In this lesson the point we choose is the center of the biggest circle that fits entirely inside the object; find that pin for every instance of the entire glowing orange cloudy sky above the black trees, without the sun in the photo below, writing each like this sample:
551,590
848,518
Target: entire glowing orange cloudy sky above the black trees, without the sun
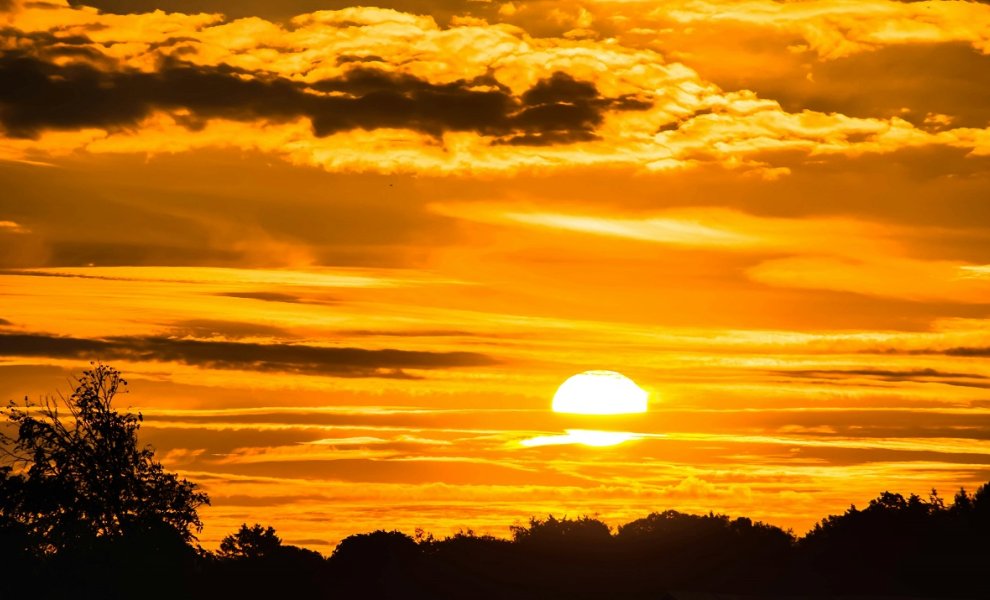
345,255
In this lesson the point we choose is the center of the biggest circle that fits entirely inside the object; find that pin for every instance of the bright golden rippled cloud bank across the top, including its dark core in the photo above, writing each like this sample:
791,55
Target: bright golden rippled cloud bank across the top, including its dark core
372,89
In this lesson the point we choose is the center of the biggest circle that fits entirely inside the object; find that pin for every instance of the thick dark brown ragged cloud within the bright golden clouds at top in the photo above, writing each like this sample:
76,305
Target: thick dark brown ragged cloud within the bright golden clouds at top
36,95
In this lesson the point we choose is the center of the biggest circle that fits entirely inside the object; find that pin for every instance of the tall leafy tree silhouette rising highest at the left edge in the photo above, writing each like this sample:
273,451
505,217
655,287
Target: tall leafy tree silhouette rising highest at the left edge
76,474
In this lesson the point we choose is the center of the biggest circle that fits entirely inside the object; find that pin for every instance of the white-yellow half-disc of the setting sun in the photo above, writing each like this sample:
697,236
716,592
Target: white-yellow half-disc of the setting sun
599,393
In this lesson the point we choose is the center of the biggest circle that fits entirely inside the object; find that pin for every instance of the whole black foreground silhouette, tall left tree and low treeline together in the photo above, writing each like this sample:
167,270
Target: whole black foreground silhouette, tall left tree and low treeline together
87,513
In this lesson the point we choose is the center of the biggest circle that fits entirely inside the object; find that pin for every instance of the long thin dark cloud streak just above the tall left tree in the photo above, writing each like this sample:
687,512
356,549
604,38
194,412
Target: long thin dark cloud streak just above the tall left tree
290,358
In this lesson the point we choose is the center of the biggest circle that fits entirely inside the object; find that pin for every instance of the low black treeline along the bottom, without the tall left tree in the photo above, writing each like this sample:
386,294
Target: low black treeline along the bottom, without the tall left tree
896,546
